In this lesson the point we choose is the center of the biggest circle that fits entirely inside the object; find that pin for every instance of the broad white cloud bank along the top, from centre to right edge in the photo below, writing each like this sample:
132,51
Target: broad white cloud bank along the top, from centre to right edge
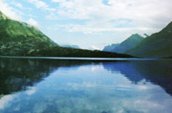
117,8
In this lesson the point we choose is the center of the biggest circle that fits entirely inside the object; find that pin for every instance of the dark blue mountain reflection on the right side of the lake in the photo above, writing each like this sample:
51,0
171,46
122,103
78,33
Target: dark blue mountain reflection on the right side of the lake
157,72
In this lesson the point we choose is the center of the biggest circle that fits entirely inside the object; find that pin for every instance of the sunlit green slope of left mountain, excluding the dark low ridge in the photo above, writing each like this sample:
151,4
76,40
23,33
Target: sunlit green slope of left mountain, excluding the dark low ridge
18,38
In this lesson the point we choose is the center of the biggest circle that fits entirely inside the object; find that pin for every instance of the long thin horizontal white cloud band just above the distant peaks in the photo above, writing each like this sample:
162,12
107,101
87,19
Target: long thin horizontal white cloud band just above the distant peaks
94,29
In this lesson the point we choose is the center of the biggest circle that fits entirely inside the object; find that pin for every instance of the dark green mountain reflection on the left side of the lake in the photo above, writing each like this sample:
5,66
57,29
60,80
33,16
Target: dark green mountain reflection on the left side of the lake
17,74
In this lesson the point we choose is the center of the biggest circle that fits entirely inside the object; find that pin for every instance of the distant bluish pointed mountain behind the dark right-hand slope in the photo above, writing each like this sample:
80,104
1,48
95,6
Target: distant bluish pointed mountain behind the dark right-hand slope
127,44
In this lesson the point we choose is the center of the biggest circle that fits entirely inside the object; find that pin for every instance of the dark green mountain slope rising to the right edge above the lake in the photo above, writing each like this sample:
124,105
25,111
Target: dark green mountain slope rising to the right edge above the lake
157,45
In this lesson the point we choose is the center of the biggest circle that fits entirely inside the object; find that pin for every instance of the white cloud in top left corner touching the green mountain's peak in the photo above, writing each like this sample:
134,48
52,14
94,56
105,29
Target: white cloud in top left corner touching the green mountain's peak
9,11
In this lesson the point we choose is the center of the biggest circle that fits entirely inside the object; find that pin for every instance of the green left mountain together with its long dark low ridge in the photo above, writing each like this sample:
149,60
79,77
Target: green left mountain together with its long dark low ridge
20,39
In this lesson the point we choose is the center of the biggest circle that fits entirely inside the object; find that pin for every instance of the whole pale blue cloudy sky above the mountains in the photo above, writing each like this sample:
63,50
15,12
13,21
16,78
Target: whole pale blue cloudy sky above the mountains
91,24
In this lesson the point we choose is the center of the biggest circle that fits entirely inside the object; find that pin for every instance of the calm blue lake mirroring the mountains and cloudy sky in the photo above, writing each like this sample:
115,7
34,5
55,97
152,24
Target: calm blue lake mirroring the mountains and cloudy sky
85,86
